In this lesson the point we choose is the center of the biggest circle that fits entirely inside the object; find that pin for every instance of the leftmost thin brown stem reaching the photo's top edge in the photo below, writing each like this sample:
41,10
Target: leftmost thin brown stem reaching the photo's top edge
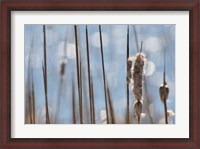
45,77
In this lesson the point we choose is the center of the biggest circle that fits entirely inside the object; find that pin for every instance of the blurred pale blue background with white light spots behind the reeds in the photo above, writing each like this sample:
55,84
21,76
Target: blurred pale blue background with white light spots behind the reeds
155,38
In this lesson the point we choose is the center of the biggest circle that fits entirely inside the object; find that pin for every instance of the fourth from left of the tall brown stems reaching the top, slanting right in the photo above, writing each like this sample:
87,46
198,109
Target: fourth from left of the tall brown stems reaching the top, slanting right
102,59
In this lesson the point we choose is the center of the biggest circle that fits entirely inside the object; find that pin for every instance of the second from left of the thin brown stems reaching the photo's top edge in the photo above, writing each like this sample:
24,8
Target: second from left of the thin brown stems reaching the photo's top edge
78,78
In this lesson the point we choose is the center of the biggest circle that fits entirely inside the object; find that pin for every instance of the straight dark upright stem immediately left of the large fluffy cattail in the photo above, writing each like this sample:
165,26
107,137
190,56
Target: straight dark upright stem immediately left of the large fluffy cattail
127,87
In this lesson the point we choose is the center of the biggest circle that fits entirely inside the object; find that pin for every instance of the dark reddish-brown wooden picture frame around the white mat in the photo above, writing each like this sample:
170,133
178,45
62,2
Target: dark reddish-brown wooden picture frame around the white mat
8,6
